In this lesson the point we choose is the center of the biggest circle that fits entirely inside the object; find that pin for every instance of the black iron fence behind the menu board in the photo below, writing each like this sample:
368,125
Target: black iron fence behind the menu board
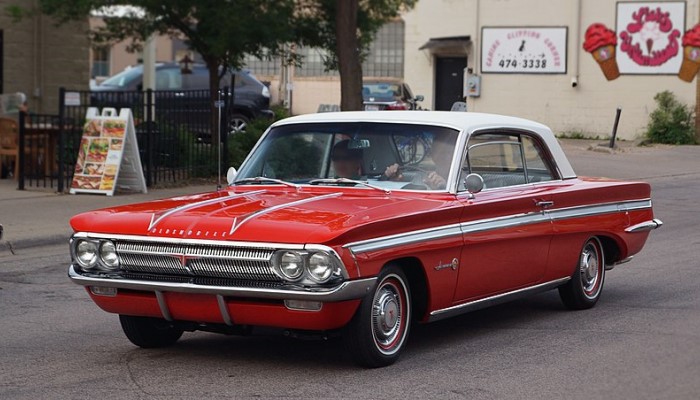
173,131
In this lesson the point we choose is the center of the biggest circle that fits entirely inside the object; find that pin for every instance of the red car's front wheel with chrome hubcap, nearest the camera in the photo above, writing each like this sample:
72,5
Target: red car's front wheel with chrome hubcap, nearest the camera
379,330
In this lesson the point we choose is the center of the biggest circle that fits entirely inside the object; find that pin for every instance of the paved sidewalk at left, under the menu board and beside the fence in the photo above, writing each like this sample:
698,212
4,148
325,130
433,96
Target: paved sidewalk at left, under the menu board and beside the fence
39,217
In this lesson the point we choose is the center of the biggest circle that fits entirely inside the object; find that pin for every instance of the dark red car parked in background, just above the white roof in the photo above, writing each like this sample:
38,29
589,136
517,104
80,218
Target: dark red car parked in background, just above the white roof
388,95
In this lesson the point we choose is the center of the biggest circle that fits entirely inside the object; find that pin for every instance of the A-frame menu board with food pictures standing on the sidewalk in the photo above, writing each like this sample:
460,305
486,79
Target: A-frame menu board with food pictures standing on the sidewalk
107,150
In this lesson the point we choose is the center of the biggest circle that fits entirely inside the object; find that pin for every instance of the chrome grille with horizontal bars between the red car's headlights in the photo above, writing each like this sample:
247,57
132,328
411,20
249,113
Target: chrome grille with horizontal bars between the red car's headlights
212,261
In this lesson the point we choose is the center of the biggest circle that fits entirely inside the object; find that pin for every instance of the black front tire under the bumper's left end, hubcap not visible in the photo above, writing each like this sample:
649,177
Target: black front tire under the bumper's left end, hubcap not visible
149,332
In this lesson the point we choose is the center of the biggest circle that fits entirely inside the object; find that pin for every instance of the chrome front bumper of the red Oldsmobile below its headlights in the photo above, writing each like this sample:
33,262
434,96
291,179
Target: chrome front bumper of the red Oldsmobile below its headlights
347,290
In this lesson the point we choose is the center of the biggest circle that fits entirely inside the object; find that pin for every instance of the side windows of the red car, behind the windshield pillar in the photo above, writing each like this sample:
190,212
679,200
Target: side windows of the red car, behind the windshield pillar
506,159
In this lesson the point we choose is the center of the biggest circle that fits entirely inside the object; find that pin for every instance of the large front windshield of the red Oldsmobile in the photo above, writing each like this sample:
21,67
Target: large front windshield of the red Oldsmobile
387,155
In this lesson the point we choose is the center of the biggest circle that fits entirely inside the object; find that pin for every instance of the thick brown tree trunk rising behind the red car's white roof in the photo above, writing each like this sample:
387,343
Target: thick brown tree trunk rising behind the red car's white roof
348,51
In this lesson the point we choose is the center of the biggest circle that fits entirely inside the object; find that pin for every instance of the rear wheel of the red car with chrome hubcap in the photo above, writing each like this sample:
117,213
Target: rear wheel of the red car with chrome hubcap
586,284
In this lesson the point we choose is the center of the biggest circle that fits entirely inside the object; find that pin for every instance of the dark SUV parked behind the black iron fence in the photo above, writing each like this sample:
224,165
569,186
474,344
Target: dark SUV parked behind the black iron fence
251,97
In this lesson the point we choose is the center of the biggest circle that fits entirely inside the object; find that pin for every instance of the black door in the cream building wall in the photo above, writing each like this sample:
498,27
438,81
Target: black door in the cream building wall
449,72
